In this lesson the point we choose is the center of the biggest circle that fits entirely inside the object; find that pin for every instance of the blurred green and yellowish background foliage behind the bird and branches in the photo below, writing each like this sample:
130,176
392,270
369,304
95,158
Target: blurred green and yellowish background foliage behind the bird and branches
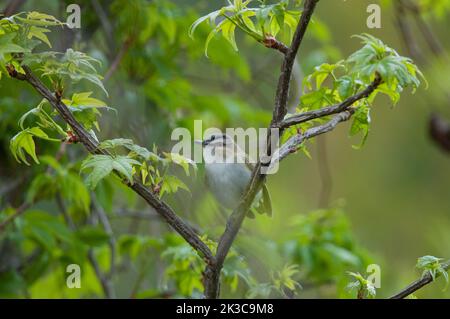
387,203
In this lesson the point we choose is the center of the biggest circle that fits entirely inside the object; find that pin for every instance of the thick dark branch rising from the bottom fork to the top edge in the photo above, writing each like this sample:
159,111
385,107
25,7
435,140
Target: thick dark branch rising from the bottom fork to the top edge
234,223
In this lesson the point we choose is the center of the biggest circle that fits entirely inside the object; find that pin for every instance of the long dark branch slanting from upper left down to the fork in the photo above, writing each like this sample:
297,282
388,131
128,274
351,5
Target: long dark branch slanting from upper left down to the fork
91,145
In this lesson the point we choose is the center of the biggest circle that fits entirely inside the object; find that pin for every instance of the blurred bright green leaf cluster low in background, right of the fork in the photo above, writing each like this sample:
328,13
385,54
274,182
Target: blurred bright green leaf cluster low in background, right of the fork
322,243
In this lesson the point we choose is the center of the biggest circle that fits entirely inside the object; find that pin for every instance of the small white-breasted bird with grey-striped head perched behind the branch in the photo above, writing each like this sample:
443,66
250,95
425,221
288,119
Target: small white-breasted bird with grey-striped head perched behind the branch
228,172
